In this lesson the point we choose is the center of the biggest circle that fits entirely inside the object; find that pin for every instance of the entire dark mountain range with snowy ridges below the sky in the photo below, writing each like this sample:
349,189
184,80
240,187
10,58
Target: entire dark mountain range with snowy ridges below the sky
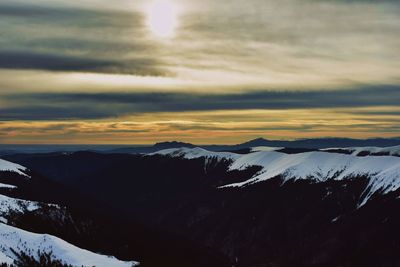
183,205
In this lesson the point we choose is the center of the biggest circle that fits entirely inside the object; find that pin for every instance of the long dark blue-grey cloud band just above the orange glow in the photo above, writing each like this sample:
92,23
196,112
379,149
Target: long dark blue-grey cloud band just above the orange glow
46,106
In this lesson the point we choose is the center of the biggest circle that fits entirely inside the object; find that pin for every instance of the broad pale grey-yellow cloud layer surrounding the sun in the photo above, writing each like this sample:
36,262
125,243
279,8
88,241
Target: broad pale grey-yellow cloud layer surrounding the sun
255,42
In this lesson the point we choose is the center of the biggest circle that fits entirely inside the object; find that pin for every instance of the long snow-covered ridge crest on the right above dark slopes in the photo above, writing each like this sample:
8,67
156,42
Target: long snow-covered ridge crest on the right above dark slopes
383,171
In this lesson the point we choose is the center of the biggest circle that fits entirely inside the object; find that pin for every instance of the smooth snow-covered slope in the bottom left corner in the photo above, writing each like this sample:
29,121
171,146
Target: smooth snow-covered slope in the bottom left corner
30,243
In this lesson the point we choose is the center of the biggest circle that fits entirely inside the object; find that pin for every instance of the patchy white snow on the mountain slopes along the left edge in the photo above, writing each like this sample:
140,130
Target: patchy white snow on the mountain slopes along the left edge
15,242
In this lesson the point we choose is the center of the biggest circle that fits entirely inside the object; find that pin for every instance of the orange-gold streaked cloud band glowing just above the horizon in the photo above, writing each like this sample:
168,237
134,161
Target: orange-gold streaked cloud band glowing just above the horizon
204,127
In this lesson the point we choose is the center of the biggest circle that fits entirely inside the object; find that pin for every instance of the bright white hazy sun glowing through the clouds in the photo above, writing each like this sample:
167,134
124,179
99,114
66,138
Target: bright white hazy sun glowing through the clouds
162,18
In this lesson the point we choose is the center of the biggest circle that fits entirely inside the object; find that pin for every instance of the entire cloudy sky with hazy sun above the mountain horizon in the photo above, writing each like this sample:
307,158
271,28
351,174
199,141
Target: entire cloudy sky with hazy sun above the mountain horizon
139,72
